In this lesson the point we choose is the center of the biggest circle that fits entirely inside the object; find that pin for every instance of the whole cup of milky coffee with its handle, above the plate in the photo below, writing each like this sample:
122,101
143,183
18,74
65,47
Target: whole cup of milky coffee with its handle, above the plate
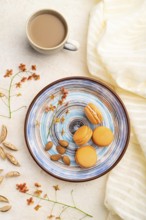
47,32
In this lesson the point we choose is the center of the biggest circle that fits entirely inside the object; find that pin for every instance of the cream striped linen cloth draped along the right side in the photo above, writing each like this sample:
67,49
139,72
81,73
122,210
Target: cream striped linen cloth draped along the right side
116,54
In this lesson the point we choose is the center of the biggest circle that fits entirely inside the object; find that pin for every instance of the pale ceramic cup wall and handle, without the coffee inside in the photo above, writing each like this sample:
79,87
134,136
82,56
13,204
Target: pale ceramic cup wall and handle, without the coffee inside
65,44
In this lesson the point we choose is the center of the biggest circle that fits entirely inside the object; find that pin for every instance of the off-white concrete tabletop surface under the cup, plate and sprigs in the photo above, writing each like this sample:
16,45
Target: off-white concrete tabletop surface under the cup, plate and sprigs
15,49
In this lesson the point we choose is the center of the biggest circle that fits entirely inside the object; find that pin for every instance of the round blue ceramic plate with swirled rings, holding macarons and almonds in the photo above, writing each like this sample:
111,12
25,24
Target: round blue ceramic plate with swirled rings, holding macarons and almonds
47,120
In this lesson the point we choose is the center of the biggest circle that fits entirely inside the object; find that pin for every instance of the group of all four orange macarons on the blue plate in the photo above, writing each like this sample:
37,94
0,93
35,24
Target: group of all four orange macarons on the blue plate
86,156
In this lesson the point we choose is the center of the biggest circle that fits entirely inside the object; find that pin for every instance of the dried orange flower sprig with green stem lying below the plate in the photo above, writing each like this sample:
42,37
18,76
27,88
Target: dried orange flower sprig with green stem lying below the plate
23,188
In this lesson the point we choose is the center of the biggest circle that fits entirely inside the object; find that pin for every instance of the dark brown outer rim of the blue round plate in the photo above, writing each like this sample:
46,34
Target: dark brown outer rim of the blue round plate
104,84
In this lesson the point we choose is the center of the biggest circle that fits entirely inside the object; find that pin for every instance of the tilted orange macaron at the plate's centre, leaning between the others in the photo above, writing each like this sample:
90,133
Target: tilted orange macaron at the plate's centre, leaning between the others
82,135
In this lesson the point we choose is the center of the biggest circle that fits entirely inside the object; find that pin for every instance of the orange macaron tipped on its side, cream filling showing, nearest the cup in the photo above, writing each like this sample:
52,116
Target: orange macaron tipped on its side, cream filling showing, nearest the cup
93,114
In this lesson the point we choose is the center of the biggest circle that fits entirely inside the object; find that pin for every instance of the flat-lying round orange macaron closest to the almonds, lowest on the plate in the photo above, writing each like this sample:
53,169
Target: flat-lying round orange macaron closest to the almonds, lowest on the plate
86,156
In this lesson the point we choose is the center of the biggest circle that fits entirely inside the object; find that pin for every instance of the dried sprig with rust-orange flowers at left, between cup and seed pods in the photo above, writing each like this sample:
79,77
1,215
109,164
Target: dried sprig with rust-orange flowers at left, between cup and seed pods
25,75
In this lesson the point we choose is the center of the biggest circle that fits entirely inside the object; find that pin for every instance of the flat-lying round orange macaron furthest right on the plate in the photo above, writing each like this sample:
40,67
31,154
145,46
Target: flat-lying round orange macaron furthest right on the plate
102,136
